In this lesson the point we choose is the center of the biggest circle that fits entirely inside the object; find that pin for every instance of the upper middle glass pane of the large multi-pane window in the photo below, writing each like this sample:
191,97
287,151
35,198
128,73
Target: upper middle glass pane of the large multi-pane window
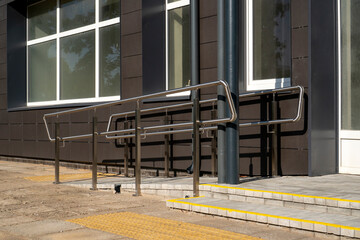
76,13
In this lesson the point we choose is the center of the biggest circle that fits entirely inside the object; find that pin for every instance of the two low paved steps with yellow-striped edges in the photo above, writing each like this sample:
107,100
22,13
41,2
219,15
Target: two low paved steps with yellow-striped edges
329,215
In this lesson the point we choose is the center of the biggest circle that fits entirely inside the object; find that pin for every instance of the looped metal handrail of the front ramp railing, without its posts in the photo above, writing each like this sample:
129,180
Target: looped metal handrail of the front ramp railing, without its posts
137,99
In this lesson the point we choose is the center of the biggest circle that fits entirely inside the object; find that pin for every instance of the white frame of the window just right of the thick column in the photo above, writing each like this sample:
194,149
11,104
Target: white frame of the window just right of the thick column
251,84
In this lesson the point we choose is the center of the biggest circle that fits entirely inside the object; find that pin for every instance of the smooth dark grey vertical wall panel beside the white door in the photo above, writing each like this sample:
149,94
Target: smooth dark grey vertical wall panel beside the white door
323,88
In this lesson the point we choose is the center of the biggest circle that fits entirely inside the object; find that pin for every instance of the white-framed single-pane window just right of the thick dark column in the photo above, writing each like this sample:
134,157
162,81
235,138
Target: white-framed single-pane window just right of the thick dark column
268,48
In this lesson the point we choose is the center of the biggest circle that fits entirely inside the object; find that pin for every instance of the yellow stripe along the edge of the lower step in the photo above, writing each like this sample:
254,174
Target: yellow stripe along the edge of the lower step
265,215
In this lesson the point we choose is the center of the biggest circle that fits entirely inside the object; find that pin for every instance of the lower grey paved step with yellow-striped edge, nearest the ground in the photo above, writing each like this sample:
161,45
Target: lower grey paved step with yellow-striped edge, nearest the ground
327,223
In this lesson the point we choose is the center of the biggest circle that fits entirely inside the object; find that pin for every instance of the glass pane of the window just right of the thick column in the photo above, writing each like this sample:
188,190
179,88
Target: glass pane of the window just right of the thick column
271,33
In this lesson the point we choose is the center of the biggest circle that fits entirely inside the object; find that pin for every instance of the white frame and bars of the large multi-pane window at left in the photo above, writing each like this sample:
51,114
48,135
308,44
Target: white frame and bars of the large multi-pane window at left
57,36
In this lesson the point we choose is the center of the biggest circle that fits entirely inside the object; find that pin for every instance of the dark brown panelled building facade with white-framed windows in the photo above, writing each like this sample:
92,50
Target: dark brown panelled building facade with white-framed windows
62,54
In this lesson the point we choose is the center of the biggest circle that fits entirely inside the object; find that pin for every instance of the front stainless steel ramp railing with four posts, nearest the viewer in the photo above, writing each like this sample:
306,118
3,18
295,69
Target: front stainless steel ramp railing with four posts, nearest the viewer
196,125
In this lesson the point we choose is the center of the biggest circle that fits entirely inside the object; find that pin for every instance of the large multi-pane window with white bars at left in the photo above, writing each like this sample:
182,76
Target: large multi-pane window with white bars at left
73,51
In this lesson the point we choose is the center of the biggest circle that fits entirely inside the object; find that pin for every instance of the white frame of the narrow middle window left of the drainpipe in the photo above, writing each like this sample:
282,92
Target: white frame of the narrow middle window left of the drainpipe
171,6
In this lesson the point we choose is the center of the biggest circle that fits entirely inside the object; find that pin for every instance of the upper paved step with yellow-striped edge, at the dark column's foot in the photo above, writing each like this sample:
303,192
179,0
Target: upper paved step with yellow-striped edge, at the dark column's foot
332,203
